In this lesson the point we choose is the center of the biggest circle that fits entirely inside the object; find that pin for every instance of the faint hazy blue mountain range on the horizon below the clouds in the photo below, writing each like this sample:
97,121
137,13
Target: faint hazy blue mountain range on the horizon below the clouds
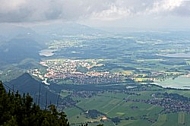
45,31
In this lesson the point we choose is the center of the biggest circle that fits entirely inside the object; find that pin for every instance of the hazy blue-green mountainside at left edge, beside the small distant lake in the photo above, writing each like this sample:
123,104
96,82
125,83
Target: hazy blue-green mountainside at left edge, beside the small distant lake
16,50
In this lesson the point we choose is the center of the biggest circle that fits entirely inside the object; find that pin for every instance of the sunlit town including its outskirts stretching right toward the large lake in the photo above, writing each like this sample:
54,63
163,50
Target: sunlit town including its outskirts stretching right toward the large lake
93,71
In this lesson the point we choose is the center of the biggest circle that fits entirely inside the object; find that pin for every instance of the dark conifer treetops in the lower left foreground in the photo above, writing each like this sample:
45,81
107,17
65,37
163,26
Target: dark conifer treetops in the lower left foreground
19,110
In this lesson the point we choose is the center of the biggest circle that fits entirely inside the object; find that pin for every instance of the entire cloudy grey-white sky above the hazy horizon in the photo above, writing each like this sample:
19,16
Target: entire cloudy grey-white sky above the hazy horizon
143,14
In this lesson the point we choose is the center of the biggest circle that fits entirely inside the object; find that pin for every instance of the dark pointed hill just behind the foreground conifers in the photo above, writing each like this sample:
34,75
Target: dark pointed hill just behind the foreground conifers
26,84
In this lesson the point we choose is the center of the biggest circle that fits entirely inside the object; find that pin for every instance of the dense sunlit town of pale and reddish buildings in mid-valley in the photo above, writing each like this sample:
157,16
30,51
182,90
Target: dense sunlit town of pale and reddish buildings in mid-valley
76,72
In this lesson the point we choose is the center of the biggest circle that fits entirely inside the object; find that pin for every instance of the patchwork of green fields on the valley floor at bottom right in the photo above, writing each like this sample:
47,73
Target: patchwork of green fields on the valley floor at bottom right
130,113
